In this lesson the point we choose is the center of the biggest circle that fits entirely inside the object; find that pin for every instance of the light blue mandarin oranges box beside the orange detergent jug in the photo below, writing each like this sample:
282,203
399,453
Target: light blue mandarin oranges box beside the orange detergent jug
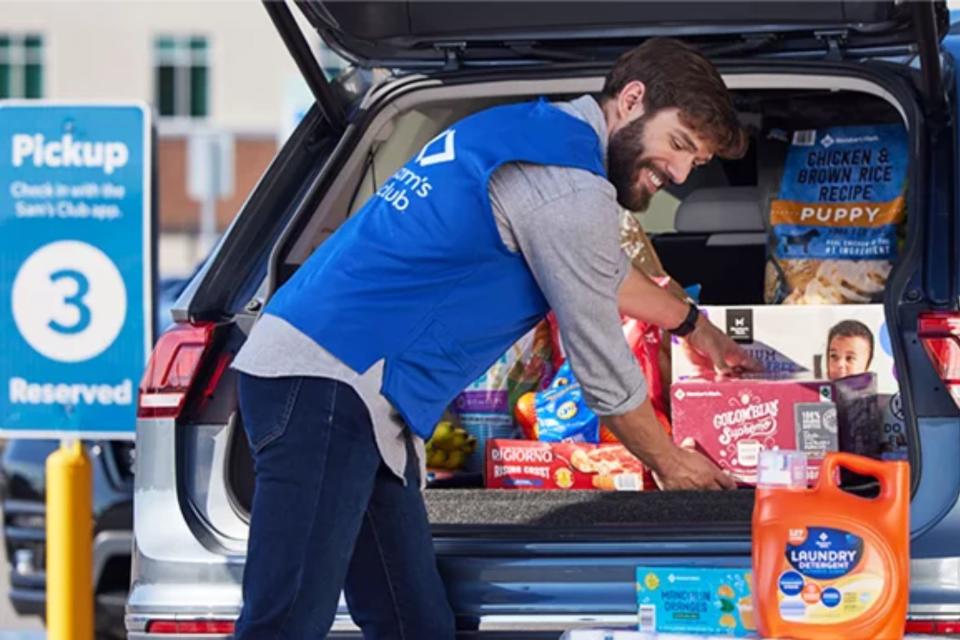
695,600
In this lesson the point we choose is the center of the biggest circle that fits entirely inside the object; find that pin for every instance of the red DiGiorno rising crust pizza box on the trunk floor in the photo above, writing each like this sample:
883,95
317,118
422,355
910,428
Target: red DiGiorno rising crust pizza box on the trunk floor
530,464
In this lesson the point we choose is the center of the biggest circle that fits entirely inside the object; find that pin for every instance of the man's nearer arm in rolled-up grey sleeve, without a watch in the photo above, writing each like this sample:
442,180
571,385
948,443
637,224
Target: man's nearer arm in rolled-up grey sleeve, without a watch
572,246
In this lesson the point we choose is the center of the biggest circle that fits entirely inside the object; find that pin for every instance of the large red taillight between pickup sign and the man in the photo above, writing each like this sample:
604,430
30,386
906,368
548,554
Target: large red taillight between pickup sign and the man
172,368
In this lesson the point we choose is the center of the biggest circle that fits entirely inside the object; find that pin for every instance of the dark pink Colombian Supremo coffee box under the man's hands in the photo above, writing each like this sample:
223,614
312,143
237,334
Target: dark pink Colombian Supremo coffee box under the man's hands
732,420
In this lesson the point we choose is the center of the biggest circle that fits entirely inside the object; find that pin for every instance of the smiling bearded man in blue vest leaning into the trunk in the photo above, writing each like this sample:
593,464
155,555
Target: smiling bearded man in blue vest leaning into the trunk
507,214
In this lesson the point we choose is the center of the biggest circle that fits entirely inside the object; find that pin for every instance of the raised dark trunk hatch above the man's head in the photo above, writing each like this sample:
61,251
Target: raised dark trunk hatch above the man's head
435,34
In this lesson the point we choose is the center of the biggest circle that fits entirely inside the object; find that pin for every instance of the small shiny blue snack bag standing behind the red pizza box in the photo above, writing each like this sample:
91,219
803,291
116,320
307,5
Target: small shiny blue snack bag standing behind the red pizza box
562,414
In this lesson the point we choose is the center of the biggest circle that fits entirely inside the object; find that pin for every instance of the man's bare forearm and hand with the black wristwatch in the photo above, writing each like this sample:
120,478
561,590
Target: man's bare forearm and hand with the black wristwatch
642,299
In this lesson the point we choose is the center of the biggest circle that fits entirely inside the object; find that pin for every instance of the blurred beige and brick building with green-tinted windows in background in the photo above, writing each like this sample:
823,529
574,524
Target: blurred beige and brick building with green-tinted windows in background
223,88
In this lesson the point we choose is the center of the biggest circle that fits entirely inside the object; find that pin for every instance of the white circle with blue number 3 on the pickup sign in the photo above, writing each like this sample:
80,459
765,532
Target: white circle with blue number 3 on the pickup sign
69,301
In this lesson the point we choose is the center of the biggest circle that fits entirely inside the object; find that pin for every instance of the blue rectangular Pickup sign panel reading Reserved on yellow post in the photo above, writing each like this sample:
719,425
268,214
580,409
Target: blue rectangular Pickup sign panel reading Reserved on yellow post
76,282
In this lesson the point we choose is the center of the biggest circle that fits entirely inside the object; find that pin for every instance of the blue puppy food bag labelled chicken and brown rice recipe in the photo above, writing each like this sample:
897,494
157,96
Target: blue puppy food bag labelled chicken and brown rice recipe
834,223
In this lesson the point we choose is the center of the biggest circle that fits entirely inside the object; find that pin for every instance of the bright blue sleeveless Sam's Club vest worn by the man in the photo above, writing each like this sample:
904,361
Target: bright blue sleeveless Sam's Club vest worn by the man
419,276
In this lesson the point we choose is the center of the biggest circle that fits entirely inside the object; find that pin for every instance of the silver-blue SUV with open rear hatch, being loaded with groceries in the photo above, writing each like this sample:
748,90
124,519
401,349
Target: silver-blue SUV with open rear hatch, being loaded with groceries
529,564
